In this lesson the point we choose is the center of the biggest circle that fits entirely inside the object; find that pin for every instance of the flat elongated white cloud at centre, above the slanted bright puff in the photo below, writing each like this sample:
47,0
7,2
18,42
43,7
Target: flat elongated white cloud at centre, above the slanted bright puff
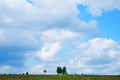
58,35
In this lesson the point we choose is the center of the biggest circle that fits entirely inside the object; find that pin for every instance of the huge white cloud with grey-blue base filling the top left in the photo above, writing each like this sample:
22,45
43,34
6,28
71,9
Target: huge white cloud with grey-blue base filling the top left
44,15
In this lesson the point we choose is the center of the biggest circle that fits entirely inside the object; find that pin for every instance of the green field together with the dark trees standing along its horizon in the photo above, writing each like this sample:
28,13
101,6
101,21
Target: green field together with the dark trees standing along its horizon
61,75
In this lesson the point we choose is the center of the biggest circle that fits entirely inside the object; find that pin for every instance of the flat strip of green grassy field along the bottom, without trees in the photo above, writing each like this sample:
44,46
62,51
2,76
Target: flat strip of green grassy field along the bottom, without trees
57,77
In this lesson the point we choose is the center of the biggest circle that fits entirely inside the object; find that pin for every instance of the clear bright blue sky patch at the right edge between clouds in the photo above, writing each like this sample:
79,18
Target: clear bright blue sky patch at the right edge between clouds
109,24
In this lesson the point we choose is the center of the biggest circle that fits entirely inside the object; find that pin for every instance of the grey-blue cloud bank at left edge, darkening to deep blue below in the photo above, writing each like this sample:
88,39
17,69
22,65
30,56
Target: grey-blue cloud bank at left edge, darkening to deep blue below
15,43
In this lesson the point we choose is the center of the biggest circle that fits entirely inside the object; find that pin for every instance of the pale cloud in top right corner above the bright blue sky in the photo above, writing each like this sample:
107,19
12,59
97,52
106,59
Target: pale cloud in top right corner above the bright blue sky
97,7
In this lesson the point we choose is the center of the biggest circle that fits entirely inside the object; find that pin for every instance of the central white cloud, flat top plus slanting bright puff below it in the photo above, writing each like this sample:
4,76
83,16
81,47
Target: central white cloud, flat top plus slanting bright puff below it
52,43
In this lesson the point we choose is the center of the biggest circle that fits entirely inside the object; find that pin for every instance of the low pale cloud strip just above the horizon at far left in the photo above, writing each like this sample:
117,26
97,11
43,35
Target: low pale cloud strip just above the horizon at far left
36,69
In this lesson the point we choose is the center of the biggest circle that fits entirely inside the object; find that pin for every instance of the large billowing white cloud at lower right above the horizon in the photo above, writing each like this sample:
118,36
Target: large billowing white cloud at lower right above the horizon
99,55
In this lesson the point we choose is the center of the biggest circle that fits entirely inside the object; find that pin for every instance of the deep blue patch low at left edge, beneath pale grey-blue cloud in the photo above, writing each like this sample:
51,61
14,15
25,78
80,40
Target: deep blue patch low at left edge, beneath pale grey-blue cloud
12,58
